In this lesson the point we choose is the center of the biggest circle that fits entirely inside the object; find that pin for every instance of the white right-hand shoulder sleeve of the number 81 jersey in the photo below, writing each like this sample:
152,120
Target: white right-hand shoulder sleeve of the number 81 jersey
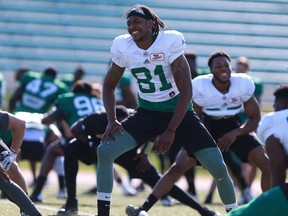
178,45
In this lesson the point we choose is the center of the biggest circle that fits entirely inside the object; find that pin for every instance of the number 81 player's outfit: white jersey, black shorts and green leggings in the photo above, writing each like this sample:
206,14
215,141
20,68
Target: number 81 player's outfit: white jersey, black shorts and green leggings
158,97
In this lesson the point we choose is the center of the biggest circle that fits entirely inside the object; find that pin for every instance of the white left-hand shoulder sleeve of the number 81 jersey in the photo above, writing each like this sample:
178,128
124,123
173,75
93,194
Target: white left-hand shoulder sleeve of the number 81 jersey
117,50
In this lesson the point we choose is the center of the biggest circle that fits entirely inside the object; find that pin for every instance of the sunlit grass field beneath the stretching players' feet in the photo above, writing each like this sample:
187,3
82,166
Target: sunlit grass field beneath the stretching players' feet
87,203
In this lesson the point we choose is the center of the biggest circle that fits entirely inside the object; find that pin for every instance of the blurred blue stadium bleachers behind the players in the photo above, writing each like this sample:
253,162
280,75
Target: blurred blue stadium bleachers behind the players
66,33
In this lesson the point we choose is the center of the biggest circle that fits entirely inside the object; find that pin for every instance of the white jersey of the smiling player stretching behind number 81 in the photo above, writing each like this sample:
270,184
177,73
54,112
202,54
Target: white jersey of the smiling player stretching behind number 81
215,103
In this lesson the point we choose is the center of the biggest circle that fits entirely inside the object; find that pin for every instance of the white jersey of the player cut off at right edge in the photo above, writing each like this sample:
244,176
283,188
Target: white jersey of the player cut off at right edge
274,123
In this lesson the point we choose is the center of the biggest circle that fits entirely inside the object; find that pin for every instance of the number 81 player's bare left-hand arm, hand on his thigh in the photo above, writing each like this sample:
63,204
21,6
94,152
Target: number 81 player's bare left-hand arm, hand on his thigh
111,80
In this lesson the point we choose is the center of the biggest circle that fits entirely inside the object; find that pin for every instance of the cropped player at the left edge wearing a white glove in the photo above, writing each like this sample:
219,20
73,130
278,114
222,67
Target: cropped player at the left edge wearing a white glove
8,165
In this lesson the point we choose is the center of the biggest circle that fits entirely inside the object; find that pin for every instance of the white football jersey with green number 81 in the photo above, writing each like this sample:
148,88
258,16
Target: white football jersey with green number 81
151,67
